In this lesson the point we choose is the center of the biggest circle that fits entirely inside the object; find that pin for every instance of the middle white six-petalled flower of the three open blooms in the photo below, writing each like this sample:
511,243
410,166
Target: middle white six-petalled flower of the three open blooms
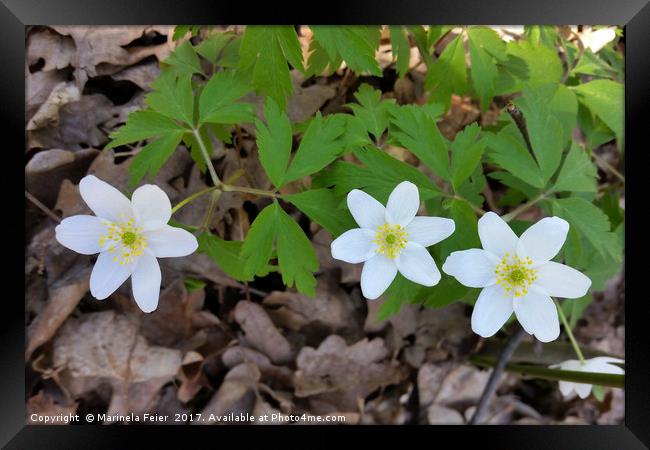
391,239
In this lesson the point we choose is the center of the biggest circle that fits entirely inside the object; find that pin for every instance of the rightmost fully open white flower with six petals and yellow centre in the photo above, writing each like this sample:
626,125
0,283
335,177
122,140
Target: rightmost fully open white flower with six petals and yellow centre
517,275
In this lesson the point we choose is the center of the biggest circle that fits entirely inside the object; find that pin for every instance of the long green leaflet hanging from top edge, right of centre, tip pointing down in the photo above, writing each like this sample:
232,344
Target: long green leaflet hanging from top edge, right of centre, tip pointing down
484,46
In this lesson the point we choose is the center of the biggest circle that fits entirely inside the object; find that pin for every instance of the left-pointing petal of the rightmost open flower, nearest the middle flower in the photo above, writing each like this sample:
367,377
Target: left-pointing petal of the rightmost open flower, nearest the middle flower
473,267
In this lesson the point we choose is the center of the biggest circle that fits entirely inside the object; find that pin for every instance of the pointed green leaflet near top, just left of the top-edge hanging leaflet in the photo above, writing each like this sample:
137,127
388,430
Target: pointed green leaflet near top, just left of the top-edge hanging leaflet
448,74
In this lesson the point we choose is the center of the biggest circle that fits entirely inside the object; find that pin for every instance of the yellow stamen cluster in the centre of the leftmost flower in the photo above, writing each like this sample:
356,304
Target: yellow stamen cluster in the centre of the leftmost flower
124,239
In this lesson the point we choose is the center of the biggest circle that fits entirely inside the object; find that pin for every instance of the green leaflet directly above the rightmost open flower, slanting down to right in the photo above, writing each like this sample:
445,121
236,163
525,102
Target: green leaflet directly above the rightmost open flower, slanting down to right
508,150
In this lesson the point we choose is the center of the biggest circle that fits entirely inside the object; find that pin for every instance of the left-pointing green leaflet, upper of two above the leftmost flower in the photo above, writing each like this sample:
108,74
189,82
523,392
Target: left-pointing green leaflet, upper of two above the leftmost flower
143,125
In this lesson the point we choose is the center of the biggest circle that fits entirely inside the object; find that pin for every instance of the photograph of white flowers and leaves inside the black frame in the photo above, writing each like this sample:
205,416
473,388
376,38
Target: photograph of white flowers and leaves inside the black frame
332,224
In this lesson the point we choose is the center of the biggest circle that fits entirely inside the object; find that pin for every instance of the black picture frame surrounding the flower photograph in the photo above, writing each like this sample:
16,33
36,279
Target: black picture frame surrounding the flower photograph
634,15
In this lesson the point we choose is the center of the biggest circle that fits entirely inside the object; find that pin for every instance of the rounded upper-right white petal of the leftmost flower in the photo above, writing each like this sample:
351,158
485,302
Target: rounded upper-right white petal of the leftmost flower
151,207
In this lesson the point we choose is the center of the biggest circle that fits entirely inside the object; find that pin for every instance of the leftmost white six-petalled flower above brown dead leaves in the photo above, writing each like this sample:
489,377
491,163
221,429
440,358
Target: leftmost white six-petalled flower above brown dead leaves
128,235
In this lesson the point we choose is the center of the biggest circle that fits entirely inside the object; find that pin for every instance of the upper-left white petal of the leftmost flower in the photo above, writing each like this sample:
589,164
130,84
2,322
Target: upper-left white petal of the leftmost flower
104,200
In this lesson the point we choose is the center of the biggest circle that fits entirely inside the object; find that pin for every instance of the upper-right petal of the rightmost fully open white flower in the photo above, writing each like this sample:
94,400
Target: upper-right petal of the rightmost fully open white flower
543,240
